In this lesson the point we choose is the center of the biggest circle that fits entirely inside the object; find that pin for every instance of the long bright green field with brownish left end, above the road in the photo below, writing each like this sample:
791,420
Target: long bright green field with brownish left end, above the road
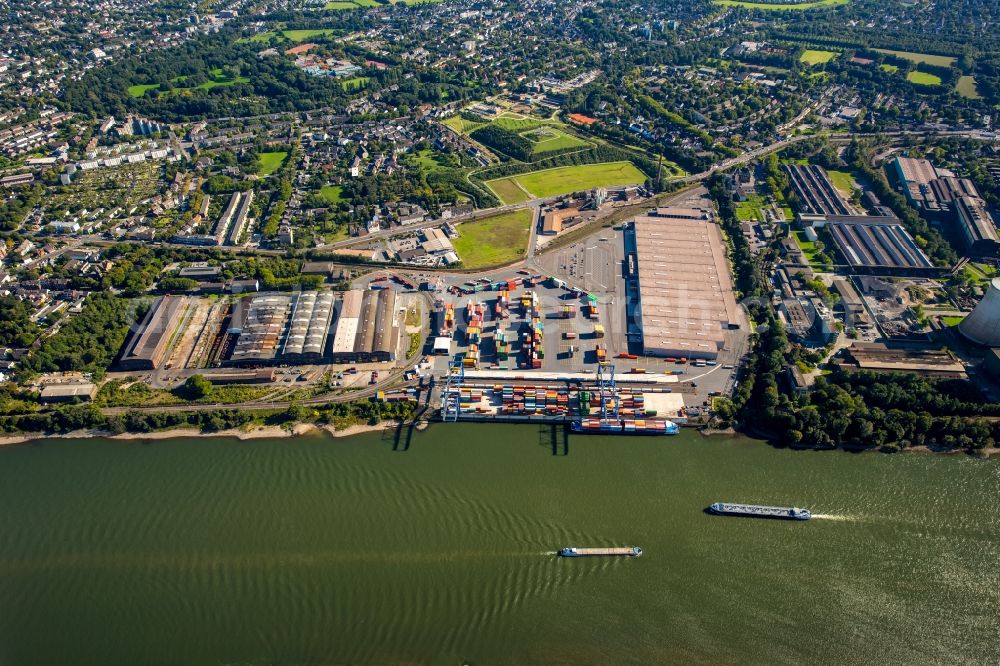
564,180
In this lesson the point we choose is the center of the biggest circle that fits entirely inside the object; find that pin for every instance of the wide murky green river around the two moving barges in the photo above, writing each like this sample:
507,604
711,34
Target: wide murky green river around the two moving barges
438,549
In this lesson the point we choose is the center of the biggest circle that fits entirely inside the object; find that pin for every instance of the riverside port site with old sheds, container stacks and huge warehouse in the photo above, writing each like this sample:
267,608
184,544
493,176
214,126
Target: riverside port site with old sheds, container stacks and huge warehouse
632,330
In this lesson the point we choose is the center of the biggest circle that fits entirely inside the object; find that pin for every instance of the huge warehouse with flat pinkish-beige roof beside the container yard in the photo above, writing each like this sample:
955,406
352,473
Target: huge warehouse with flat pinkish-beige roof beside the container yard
686,299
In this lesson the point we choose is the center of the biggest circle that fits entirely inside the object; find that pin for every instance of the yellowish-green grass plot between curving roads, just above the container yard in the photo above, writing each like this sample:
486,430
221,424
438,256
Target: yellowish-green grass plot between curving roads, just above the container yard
495,240
